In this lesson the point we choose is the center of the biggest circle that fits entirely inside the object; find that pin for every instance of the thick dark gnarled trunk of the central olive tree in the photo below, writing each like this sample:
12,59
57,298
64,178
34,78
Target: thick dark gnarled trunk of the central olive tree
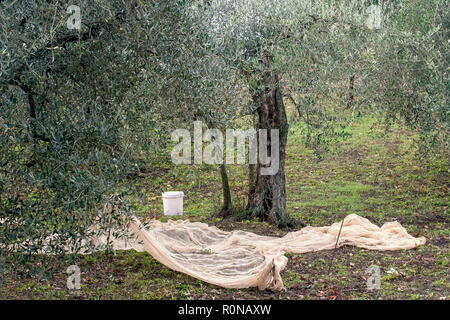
267,197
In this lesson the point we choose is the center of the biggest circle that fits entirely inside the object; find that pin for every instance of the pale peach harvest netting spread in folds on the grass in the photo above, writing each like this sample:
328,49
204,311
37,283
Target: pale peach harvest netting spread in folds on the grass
240,259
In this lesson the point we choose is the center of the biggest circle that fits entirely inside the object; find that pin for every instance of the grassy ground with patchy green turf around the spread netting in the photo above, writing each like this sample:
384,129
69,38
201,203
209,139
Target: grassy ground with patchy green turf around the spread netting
373,174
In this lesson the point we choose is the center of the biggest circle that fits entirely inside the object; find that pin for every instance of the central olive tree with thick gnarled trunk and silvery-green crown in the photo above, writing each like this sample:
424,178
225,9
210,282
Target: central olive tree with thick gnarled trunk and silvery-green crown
265,41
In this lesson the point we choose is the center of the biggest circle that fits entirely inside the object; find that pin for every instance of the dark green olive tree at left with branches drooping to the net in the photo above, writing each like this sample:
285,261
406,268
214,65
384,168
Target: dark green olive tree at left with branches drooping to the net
74,116
